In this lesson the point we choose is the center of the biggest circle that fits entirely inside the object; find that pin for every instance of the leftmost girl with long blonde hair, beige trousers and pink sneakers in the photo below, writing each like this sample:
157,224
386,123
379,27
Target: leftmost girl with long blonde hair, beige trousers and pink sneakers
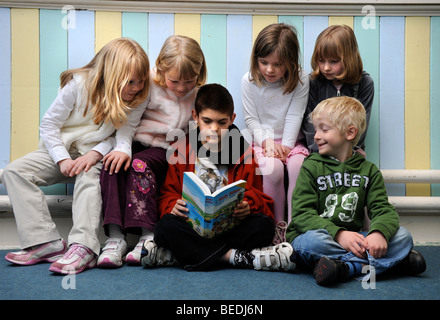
96,110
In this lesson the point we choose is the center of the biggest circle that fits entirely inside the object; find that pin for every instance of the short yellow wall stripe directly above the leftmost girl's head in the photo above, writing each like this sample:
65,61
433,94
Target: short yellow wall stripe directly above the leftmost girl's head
107,27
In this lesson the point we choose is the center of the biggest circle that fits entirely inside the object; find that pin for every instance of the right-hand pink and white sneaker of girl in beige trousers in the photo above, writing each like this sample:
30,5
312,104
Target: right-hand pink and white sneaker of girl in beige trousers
75,260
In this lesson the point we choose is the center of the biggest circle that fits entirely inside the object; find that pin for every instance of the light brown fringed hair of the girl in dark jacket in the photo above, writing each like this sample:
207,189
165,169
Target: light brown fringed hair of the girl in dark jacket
338,42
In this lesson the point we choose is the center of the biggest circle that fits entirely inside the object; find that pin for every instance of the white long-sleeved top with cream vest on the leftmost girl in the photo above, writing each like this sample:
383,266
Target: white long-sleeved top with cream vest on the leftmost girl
64,126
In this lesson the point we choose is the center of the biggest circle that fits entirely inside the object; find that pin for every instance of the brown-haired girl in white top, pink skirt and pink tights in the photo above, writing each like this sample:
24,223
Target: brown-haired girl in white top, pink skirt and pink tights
274,94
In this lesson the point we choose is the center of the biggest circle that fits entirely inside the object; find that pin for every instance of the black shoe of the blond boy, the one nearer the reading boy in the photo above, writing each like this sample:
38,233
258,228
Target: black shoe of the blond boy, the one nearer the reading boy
329,271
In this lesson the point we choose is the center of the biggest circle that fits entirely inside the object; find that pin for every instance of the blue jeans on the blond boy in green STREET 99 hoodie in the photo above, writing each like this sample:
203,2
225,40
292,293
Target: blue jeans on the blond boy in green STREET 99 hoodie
311,246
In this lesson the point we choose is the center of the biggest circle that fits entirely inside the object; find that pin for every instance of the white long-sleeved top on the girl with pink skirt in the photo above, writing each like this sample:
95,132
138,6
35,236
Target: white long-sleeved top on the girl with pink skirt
268,113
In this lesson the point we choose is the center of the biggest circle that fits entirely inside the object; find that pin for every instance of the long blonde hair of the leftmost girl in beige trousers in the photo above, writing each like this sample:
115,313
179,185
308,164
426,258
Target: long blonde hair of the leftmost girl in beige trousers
106,76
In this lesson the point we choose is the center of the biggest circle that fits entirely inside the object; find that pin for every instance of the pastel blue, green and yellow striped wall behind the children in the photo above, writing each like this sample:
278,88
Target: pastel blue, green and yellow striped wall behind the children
400,53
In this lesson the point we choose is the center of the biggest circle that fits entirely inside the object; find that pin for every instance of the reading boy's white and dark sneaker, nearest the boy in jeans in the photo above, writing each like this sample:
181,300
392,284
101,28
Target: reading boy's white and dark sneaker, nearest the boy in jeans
274,257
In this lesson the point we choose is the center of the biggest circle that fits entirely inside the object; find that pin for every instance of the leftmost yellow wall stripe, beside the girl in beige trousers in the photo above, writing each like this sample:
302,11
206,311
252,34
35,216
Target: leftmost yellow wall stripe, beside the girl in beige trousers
25,70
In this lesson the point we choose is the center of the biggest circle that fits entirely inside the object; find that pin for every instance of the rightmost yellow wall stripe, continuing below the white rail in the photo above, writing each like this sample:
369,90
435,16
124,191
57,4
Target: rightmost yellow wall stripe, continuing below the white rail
417,127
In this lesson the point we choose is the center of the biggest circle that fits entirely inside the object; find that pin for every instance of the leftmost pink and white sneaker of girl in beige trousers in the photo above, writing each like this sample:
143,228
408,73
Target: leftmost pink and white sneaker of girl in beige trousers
47,252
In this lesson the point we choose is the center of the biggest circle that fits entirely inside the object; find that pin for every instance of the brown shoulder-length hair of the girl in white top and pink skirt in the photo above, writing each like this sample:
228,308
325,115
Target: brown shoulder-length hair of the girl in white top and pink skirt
281,39
